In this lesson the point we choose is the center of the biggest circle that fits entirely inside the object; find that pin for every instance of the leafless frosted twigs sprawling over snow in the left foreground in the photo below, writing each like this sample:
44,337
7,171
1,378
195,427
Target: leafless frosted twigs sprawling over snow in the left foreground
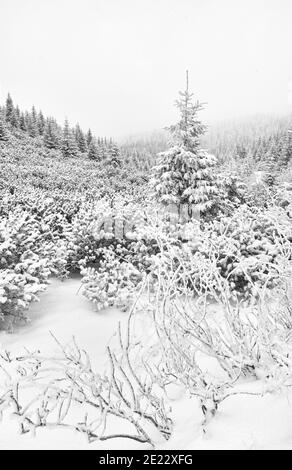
64,387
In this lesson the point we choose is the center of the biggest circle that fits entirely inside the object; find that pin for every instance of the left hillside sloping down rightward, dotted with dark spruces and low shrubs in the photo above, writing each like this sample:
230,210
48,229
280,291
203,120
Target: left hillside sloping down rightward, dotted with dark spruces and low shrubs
38,154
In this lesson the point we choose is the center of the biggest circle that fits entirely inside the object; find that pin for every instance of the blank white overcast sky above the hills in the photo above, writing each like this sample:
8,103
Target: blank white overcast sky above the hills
116,65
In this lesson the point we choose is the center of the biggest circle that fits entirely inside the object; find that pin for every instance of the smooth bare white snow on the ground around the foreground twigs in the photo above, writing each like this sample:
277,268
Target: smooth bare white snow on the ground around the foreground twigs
242,422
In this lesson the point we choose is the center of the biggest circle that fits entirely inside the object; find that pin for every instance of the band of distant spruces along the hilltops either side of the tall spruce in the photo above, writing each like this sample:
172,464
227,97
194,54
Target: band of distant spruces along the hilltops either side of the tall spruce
250,144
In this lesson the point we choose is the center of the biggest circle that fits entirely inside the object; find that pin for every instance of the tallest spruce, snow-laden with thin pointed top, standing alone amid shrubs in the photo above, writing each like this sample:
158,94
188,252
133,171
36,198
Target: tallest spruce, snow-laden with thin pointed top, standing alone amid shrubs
184,173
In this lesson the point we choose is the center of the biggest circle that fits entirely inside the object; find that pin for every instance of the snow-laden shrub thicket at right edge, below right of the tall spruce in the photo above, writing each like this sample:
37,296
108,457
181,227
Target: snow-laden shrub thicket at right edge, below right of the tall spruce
243,247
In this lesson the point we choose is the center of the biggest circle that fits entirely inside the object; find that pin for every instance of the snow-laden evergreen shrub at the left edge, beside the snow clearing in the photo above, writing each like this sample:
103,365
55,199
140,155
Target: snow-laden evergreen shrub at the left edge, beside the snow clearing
30,252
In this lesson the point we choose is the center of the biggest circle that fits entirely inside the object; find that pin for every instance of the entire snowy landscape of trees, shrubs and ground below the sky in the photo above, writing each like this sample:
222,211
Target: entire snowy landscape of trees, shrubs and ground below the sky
146,283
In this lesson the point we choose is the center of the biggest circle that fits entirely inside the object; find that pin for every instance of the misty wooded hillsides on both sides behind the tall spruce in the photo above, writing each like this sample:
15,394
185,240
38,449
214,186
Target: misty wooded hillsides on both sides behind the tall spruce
50,157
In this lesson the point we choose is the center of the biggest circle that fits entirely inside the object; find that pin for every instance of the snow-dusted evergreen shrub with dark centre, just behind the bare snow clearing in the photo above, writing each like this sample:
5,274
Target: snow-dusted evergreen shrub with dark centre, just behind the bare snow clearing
112,268
